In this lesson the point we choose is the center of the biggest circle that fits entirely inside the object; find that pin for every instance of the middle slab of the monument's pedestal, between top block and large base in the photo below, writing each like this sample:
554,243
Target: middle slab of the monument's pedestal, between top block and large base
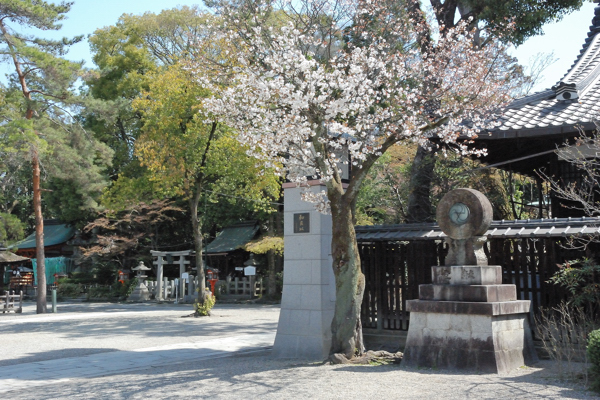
477,293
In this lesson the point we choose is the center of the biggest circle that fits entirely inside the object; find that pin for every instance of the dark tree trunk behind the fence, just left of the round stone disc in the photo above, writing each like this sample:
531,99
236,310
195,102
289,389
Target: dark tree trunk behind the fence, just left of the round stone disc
419,203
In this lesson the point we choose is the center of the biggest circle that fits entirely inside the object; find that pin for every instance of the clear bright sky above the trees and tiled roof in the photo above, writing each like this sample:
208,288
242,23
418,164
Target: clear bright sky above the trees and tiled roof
564,38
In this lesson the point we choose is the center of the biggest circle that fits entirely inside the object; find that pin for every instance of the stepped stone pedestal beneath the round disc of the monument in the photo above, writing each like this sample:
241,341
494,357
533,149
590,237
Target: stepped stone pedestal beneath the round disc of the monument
467,319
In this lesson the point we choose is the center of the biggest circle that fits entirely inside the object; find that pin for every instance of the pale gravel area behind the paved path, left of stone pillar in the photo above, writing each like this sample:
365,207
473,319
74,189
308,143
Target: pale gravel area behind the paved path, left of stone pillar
87,328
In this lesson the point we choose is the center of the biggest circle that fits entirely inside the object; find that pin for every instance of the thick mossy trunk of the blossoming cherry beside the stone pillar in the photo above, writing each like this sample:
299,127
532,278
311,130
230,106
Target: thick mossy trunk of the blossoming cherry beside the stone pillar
346,328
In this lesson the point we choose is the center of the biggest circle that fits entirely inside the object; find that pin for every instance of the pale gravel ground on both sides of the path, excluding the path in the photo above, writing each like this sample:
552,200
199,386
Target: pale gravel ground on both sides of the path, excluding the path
85,328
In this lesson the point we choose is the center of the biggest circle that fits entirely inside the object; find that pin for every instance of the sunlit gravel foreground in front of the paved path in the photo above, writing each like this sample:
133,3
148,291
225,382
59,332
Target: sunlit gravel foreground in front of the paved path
262,377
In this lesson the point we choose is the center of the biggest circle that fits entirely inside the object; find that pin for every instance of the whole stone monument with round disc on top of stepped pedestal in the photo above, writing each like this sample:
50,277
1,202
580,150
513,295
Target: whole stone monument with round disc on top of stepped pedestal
467,319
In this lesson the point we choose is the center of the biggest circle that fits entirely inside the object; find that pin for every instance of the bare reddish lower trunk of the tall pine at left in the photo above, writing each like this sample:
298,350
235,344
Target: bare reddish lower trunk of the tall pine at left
39,236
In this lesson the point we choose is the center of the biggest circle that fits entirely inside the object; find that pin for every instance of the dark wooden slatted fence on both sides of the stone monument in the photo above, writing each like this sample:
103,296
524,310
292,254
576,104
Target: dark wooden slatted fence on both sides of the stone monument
395,269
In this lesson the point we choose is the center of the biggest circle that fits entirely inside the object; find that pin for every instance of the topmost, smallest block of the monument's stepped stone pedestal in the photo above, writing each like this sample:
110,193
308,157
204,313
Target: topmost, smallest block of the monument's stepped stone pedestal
467,275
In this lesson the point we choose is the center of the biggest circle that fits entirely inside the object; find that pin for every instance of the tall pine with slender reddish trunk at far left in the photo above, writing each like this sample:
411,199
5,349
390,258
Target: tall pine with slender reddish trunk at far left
45,79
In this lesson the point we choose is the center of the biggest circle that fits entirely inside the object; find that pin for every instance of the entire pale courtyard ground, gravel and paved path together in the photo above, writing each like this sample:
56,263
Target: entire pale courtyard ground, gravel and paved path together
138,351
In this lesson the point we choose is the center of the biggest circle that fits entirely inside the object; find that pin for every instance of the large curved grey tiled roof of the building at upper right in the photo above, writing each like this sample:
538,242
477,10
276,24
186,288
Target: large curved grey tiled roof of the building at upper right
544,113
